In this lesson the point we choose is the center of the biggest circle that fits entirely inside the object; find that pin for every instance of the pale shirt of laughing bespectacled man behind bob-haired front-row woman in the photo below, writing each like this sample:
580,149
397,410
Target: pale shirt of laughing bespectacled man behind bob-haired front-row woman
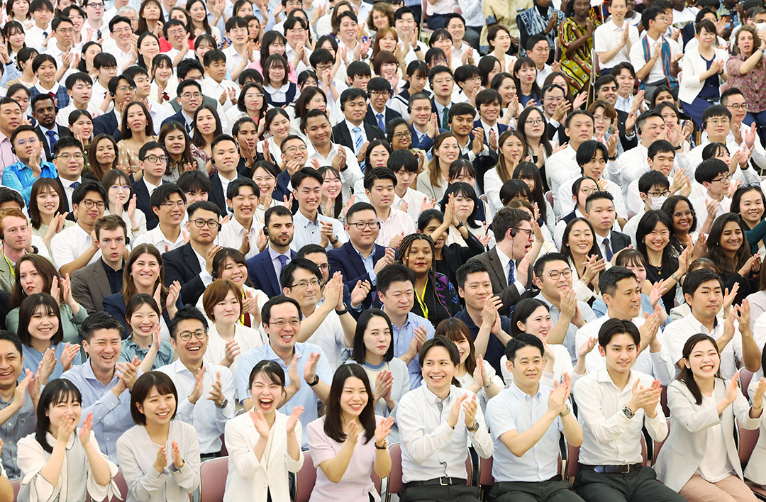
205,416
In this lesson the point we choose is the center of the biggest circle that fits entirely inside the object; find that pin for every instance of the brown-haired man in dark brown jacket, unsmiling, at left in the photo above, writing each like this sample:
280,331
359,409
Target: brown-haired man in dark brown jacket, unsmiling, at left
94,282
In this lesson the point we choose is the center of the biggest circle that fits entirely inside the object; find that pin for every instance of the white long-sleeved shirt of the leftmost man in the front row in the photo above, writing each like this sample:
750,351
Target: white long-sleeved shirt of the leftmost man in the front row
430,447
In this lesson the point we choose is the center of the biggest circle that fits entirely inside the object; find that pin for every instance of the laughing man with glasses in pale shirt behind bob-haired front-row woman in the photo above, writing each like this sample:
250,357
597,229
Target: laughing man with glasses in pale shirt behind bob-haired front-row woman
205,390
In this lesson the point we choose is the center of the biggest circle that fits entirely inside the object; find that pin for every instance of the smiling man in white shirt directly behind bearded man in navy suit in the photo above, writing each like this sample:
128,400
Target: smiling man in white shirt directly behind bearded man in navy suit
310,226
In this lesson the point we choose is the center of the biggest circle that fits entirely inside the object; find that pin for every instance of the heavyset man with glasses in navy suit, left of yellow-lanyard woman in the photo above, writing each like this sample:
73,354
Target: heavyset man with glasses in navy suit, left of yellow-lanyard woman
360,259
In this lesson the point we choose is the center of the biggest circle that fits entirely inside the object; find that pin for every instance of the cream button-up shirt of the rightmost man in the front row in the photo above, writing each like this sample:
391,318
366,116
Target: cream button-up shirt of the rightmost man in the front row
609,436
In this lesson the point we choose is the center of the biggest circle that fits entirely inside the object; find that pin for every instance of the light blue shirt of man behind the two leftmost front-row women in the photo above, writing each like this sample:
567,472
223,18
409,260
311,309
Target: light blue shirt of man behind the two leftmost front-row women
111,414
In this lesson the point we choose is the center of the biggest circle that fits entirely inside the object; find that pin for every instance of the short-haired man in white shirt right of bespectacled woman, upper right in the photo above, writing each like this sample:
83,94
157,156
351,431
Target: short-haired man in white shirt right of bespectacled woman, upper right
562,166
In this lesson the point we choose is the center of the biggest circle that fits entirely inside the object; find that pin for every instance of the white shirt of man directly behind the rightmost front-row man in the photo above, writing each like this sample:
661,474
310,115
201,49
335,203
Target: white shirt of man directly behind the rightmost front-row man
658,364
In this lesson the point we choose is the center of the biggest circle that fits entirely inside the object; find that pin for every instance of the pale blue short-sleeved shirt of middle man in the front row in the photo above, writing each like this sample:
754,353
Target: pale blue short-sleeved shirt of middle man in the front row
513,409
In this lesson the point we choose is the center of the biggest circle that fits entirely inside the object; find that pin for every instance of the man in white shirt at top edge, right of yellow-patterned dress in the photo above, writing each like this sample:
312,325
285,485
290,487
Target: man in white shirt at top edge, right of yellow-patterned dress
614,39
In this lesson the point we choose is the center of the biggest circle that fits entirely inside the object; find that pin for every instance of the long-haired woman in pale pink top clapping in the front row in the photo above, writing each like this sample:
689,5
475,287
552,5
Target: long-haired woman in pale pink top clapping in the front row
350,441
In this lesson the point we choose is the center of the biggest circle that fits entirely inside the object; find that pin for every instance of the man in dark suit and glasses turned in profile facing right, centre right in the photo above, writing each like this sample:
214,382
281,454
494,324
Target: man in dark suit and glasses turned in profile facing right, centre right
507,263
